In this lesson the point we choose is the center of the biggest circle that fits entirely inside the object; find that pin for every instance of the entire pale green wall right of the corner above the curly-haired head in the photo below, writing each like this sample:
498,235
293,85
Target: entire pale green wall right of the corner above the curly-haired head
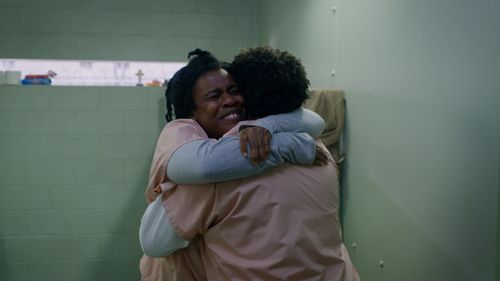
422,173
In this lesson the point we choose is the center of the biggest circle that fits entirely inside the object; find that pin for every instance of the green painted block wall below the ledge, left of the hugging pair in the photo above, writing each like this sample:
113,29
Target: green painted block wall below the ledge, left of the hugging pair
74,164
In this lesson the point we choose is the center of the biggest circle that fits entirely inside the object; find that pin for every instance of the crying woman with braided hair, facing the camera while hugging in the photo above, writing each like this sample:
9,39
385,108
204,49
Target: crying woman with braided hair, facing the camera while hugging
207,104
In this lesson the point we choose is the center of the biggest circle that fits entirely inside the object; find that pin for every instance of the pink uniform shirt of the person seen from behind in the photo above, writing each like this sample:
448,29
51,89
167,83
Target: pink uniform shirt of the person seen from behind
281,225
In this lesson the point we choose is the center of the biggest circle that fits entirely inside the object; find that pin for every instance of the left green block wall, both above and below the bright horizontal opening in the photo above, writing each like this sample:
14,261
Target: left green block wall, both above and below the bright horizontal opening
74,160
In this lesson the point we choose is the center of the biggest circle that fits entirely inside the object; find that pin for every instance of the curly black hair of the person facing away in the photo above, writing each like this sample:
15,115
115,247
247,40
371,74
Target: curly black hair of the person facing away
271,81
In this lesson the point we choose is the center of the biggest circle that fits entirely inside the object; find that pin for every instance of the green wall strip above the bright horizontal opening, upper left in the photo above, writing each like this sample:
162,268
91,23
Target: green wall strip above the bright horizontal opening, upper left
158,30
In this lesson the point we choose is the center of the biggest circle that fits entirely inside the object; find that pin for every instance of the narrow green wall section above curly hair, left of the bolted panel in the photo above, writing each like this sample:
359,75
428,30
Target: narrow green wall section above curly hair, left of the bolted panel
305,28
